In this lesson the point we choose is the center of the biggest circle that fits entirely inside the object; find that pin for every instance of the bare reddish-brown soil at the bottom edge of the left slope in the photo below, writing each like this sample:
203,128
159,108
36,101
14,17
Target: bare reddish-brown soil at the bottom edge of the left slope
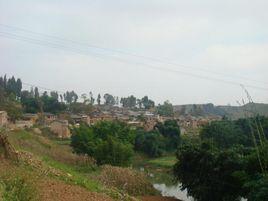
51,190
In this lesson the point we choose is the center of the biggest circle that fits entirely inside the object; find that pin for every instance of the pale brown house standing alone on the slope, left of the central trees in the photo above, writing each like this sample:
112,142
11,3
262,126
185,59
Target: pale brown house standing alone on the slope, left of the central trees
60,128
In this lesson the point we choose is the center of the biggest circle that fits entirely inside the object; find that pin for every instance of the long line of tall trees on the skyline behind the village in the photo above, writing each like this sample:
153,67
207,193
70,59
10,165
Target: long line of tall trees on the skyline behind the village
33,101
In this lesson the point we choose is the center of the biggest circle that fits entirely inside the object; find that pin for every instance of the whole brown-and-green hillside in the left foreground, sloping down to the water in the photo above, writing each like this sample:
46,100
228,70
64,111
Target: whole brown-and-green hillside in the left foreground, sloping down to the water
36,166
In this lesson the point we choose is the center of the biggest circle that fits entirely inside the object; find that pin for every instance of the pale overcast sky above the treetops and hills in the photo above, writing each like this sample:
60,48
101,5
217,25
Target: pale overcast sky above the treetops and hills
184,51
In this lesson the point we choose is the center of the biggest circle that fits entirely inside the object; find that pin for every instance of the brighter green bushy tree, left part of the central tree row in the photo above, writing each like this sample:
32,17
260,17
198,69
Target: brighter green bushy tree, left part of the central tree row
107,142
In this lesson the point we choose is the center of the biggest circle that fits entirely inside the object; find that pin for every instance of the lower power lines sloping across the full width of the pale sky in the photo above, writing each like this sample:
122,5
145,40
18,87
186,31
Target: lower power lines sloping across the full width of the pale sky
100,56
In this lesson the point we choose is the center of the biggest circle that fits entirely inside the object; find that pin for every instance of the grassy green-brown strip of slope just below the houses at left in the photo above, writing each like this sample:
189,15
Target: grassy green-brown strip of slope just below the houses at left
56,154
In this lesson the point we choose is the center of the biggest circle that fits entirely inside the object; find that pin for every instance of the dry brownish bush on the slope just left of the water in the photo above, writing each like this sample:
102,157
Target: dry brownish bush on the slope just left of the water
127,180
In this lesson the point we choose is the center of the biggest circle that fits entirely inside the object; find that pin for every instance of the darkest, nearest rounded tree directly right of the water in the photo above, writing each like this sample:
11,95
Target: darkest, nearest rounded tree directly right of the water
208,174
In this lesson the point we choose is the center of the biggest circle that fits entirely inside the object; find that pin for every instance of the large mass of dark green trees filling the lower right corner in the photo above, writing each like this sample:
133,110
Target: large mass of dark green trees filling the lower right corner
230,161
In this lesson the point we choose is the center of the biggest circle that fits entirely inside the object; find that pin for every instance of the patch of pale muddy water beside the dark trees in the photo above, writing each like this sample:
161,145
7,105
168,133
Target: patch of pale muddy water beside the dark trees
173,191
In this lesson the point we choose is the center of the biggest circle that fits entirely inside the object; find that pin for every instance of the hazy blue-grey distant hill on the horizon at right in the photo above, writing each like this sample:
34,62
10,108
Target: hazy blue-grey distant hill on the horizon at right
233,112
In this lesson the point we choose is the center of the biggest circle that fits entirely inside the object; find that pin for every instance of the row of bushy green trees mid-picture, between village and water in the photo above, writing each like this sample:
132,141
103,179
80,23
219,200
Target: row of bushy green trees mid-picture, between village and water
114,142
